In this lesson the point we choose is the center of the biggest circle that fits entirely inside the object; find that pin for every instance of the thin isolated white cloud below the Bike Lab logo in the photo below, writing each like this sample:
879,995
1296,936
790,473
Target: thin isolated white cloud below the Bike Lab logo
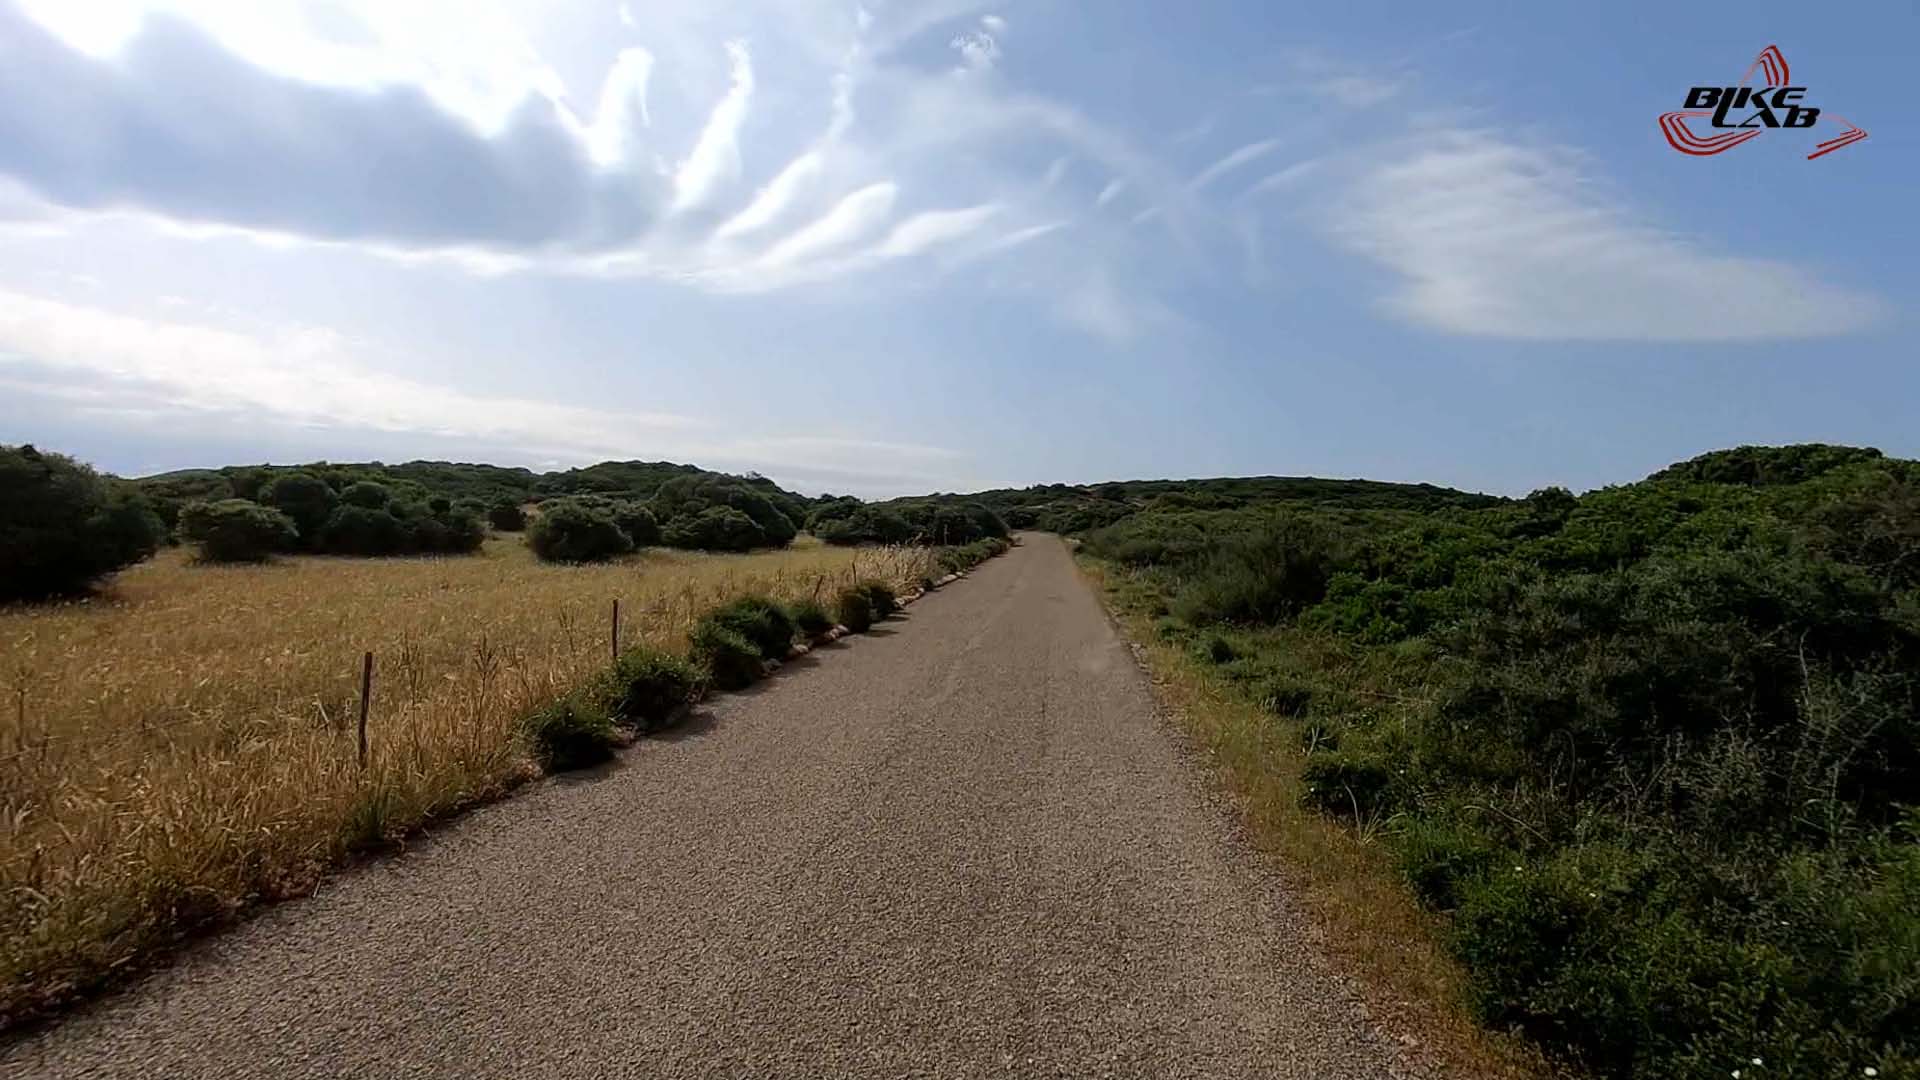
1506,241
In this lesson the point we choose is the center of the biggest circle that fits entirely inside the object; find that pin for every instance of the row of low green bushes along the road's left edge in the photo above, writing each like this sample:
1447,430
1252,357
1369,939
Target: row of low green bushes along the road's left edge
729,649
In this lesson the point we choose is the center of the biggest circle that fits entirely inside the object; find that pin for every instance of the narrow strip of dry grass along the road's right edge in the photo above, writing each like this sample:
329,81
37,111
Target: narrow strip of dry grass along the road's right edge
1345,879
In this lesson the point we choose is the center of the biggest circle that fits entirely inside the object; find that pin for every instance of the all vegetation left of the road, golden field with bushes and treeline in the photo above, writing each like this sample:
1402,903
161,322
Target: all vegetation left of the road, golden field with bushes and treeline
180,735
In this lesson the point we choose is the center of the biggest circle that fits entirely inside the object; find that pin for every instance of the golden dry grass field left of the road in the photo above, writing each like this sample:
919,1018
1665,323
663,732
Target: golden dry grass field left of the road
185,745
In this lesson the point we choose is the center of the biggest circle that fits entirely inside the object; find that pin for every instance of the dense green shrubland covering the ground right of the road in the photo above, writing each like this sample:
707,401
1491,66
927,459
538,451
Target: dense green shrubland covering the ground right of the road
1650,756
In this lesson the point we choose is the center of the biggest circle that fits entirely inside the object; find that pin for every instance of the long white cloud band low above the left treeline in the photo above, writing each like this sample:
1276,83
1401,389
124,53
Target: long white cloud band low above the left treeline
300,378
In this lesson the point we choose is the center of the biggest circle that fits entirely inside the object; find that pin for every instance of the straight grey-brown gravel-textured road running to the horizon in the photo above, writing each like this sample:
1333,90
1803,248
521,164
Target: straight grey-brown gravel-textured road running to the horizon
959,847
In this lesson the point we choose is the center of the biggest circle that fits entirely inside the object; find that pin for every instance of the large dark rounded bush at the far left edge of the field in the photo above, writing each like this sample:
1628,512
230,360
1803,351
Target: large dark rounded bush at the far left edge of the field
64,528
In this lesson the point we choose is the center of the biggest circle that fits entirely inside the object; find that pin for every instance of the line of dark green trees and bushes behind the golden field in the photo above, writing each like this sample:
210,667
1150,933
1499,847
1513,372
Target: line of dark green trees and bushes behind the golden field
68,526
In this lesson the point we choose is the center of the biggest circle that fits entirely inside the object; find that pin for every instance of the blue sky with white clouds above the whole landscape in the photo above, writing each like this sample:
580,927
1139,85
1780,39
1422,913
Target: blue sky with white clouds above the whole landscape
896,247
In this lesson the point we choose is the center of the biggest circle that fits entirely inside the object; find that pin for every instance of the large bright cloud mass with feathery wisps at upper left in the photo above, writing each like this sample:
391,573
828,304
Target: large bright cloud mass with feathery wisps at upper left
684,162
